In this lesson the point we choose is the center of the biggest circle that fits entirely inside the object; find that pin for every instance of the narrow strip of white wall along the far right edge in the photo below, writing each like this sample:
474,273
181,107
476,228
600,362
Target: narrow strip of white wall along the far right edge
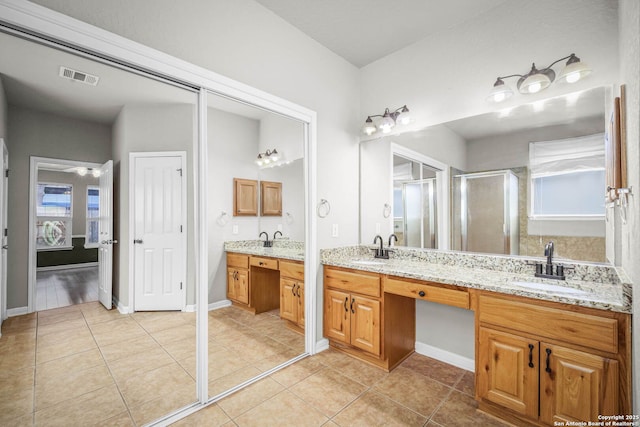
629,36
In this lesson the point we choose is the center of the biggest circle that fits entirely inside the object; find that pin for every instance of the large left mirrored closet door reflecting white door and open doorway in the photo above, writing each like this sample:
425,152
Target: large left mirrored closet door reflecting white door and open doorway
87,342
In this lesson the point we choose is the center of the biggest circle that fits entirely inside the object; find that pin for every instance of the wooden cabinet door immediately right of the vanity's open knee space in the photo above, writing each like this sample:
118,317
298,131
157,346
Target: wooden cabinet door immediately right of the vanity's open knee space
508,371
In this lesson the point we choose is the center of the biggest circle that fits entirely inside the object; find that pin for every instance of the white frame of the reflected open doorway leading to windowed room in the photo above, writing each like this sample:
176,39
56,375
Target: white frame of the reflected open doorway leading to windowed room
34,162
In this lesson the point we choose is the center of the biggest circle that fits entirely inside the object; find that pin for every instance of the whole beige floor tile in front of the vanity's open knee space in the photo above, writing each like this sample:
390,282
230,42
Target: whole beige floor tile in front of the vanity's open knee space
417,392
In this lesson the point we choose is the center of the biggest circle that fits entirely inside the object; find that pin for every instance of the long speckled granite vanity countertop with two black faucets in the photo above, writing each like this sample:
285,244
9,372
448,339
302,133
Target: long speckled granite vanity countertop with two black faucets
588,285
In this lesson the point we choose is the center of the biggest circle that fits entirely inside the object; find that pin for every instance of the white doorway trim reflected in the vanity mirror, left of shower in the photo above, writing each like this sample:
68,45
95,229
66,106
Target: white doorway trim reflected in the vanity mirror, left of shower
443,179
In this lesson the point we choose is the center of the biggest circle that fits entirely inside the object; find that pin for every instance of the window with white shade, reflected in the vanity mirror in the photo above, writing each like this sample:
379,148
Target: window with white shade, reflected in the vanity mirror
567,178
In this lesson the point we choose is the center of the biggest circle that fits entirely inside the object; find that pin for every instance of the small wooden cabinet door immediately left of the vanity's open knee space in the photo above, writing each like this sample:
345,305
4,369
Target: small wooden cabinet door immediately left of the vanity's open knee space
365,323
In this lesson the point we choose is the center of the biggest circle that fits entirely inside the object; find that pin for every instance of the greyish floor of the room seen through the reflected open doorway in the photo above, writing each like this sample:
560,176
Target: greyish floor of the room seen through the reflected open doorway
60,288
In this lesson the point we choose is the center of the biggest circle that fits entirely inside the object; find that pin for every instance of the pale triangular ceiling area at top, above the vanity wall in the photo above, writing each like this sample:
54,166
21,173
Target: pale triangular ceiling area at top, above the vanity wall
363,31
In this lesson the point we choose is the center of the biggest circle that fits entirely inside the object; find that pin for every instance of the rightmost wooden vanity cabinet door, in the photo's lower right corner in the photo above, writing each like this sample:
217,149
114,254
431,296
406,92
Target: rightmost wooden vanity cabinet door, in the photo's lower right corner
576,386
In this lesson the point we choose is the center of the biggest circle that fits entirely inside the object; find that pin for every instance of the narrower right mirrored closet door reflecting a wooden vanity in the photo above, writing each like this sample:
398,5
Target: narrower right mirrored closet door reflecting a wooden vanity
256,242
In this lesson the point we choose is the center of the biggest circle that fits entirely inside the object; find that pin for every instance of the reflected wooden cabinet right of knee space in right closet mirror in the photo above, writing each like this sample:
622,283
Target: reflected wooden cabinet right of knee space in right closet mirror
292,293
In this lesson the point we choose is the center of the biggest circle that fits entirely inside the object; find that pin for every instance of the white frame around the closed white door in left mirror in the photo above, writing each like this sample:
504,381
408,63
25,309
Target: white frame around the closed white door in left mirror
132,170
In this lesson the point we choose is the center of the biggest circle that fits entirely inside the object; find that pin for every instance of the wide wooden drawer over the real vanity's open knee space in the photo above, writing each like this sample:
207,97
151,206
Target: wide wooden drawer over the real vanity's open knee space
430,292
